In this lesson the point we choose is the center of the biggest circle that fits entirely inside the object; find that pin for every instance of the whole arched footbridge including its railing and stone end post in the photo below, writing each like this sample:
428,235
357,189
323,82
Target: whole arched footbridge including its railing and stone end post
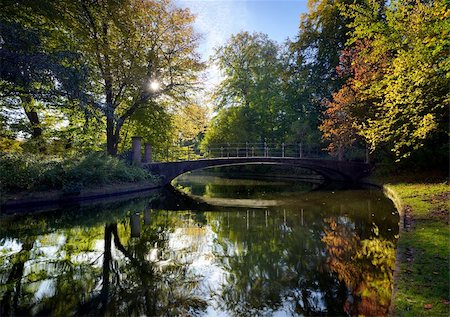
180,160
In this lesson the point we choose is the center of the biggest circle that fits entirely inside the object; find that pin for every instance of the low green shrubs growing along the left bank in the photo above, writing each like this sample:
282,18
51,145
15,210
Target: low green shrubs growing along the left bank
34,172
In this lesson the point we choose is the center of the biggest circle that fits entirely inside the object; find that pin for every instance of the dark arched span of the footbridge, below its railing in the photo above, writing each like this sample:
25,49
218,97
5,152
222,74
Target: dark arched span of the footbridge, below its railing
347,171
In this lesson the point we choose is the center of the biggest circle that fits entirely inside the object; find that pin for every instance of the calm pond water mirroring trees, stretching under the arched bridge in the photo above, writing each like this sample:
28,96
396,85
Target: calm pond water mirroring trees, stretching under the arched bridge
224,247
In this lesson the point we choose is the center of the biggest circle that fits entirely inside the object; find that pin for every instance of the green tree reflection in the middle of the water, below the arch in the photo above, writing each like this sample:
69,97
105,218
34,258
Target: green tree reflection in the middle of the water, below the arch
273,265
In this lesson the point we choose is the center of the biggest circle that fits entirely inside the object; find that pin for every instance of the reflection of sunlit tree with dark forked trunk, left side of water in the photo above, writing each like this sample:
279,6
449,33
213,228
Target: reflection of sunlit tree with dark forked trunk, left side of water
82,278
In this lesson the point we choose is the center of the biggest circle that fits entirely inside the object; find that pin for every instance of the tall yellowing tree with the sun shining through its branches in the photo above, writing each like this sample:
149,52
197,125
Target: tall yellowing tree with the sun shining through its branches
138,51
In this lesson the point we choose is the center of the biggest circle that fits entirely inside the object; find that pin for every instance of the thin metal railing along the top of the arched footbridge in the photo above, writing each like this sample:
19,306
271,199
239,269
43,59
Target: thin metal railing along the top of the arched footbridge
248,149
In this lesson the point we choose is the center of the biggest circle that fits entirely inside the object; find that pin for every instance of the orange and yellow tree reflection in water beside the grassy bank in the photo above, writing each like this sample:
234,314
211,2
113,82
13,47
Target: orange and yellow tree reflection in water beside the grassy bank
365,266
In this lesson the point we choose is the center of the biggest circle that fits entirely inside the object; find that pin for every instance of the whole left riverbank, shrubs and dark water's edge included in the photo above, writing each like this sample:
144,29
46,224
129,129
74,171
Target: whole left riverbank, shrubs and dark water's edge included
36,182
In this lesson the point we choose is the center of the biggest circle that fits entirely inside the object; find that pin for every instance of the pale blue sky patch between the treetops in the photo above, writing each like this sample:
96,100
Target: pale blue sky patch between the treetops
217,20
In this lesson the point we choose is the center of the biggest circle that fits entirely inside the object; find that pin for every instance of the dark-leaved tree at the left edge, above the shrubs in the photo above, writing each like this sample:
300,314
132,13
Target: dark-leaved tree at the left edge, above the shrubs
33,77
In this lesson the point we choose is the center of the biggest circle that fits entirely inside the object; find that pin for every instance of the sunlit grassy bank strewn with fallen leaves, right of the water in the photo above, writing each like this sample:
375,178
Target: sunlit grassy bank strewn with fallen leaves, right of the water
422,272
